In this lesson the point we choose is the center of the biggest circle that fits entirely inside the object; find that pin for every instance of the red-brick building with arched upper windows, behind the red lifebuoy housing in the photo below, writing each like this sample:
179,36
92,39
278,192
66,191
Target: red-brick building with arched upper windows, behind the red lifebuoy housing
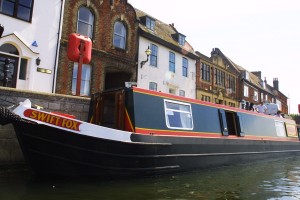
112,27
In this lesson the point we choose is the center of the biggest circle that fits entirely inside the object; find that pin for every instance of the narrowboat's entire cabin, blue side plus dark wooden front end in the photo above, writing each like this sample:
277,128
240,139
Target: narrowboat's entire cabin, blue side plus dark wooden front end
155,113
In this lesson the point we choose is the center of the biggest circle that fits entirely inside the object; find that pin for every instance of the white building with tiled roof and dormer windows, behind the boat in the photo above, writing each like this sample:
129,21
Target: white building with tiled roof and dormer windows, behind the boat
171,66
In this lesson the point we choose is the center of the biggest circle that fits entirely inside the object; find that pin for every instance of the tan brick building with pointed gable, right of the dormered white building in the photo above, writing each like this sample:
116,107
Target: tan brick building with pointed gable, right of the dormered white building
217,79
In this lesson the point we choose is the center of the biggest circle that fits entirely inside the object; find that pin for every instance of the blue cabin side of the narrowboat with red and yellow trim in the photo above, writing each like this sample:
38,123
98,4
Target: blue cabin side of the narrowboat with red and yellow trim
154,113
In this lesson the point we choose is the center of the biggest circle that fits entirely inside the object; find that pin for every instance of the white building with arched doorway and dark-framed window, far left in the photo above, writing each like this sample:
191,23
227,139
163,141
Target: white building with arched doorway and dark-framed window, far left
30,40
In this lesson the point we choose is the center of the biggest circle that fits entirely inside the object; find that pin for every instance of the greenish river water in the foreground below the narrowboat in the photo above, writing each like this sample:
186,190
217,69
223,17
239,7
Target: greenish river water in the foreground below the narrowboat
276,179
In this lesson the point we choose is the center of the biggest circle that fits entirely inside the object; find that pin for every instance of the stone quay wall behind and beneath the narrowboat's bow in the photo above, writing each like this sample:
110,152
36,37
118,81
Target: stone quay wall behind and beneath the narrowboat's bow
10,152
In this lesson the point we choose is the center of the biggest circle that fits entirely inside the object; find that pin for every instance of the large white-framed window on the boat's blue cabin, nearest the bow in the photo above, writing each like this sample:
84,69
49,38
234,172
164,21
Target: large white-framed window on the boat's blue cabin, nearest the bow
178,115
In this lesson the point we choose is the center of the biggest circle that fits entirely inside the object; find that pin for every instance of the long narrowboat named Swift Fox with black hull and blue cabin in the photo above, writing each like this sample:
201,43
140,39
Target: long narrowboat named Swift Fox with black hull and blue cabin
134,132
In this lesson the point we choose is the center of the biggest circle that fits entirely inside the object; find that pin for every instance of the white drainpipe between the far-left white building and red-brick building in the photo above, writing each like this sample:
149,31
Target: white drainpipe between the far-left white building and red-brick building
57,45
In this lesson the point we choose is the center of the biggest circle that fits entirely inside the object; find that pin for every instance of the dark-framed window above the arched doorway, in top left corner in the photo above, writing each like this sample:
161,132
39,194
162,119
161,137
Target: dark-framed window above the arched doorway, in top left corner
20,9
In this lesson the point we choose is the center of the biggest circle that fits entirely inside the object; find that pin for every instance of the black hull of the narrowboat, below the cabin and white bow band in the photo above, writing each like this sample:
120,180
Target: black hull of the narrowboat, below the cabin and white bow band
51,151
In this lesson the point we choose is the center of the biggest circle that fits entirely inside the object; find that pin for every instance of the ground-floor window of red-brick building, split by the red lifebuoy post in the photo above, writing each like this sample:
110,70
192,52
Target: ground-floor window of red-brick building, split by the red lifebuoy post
85,80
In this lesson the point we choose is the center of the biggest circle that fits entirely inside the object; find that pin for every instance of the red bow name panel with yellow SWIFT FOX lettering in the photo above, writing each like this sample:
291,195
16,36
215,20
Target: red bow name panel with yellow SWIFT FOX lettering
52,119
